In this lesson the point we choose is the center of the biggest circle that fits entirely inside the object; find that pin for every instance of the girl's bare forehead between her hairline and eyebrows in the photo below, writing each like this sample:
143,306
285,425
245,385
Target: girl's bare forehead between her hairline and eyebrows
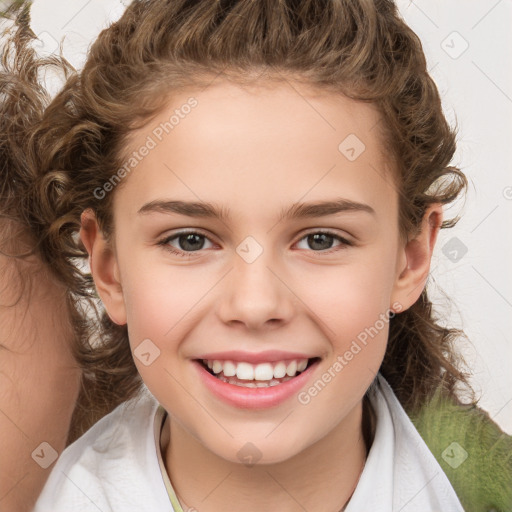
260,145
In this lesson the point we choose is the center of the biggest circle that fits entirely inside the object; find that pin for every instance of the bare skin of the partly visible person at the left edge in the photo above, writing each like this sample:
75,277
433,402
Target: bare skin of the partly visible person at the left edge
39,380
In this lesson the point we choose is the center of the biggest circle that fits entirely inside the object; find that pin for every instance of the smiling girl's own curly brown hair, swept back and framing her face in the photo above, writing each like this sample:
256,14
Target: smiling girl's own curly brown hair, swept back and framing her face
361,49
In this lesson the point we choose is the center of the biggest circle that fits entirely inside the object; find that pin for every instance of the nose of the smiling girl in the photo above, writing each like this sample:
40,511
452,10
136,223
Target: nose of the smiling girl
256,294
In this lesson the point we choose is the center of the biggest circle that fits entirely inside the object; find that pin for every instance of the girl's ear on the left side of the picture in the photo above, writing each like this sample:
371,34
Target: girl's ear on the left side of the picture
104,267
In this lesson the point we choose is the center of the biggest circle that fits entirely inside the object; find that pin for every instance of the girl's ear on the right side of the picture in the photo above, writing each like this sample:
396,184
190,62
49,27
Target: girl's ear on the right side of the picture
415,260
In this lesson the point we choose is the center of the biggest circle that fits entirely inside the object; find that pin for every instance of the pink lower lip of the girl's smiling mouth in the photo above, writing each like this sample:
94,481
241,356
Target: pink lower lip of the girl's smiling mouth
254,398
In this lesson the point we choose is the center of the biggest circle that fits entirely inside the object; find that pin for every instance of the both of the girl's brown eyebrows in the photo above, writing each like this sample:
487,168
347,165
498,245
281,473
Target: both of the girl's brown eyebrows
295,211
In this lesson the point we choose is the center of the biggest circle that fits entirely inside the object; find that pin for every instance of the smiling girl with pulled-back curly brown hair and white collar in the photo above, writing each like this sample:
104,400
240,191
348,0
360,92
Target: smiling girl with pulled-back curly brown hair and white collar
259,186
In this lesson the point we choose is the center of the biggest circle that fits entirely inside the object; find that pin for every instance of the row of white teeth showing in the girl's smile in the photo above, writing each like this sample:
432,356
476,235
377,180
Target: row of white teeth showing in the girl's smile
267,372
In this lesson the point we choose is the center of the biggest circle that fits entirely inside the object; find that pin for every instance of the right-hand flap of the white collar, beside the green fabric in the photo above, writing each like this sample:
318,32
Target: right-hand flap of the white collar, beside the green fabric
401,473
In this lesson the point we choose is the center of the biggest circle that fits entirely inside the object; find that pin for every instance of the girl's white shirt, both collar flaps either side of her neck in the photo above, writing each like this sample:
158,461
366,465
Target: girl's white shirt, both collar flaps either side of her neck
115,466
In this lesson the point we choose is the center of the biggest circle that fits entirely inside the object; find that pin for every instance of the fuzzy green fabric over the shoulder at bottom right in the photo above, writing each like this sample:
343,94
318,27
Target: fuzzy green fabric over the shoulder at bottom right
473,451
